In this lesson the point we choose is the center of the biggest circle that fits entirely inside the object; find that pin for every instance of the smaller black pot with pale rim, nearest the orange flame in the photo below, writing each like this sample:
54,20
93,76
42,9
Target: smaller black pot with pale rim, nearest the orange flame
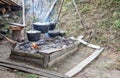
33,35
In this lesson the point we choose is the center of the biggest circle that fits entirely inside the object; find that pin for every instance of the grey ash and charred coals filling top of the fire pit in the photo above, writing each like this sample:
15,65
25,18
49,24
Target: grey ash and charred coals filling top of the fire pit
46,44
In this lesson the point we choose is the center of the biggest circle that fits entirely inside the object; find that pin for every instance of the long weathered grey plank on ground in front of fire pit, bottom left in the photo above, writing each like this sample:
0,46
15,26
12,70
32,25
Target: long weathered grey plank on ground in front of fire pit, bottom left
29,69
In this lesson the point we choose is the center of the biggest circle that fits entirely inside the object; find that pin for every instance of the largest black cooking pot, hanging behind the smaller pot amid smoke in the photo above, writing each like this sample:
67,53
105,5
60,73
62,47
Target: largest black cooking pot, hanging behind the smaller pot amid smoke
44,27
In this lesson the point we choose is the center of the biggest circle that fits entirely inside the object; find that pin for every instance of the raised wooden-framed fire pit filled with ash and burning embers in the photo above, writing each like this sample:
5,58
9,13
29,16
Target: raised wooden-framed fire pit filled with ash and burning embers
44,52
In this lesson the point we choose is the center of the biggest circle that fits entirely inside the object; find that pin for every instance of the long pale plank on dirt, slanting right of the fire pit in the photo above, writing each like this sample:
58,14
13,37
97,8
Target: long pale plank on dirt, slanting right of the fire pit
84,63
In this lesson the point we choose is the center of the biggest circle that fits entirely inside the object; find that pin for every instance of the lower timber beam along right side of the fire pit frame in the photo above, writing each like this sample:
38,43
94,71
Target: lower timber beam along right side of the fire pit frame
62,56
